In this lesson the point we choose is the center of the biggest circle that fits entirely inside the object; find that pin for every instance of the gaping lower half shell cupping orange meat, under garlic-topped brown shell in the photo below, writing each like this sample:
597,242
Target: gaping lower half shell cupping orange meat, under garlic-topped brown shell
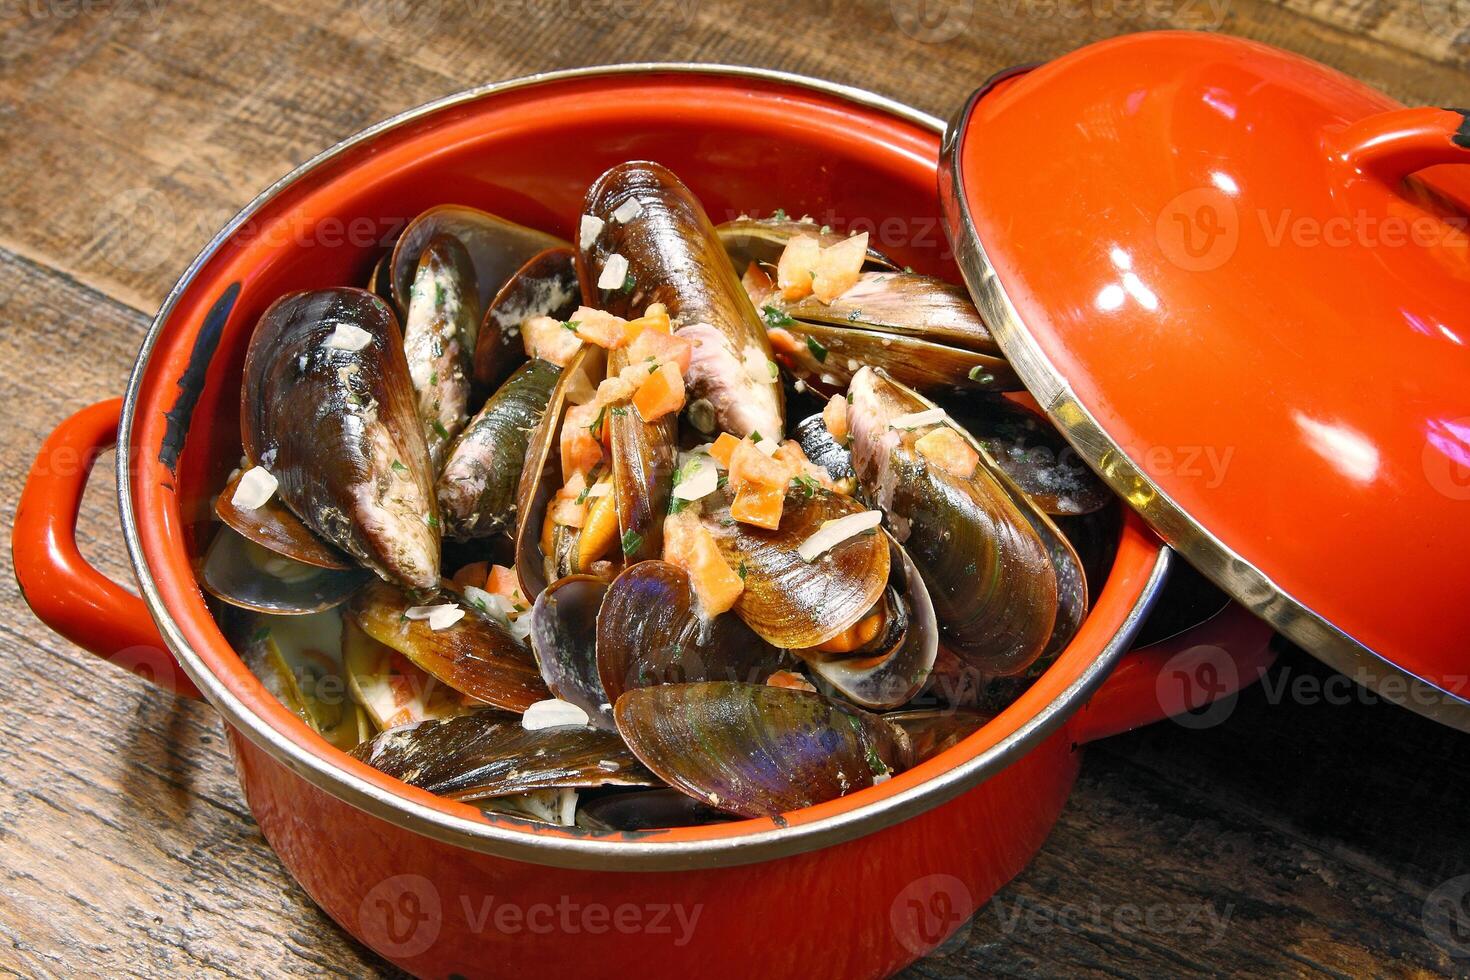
892,675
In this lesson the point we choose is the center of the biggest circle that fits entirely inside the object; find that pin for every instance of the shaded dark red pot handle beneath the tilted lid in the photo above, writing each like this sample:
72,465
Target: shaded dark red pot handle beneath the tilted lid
1180,675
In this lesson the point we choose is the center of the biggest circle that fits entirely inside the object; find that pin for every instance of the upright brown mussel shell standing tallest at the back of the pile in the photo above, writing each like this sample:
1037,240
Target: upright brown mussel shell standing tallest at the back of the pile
675,258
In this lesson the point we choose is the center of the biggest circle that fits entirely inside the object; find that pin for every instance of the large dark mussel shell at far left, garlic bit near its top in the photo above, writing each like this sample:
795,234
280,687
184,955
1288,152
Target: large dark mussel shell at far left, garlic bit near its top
330,411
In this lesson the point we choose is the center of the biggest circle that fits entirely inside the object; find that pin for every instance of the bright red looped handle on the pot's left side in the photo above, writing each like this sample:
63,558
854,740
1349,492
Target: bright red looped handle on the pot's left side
61,587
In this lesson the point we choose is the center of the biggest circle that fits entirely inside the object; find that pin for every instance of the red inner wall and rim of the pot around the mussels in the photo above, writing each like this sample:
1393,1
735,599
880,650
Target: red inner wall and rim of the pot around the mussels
527,152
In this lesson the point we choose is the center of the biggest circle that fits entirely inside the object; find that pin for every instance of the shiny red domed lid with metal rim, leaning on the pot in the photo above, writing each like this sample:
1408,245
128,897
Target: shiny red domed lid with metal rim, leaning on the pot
1240,283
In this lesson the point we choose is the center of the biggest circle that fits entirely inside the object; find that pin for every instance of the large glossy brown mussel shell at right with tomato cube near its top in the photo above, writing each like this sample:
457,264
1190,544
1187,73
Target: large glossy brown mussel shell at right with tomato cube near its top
990,575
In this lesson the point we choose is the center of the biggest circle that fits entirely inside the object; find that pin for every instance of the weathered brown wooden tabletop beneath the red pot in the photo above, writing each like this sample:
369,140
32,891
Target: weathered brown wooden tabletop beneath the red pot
1306,835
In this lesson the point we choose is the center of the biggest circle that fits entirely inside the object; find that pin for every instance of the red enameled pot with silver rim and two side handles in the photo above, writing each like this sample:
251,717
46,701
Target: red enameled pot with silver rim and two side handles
858,887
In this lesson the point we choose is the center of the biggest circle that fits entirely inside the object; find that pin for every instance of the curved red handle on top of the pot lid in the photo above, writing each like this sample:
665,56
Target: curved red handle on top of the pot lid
1397,143
